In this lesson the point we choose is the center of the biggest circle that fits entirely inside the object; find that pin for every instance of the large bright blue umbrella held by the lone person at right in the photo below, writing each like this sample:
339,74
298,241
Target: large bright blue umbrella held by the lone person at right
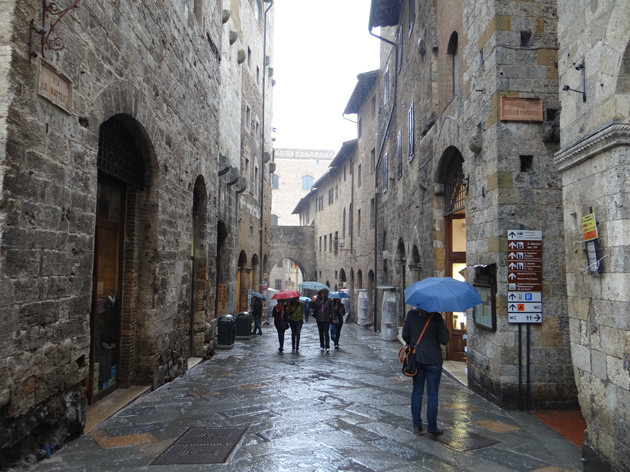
442,294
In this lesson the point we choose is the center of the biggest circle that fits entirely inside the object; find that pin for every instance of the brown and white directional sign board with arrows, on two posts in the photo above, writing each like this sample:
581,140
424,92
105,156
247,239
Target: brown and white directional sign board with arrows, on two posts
524,276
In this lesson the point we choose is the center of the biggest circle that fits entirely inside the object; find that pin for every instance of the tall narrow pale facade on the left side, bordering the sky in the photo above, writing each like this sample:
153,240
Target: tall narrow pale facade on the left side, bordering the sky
248,23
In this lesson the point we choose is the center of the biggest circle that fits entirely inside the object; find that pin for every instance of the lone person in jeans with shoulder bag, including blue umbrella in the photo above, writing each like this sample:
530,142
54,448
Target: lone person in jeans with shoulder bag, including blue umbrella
425,328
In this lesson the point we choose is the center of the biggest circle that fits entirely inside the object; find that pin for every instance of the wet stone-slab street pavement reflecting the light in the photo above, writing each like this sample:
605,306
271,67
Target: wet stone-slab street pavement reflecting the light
347,410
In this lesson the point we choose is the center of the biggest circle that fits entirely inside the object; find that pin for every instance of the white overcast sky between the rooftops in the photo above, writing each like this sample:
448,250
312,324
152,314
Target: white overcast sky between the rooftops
320,47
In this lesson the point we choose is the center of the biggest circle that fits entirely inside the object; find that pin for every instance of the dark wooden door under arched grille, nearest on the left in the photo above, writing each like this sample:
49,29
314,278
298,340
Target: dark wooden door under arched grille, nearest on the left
120,173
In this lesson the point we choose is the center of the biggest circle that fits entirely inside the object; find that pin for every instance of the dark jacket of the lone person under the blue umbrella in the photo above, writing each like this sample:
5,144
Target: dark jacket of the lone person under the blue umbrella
429,350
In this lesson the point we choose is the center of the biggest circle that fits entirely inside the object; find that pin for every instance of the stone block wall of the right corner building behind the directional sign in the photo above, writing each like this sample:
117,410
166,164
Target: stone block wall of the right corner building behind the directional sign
505,48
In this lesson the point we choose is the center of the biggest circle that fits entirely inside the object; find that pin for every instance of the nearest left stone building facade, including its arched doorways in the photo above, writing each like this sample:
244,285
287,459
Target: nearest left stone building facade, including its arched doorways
119,203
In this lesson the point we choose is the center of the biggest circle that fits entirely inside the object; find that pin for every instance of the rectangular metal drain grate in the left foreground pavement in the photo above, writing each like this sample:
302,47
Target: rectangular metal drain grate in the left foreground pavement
201,446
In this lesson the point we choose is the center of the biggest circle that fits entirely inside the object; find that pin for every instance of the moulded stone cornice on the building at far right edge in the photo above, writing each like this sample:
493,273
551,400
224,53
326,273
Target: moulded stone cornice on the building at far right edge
612,134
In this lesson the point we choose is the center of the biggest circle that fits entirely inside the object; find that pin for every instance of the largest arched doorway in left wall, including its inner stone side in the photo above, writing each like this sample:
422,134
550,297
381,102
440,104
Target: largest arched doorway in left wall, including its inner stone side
125,227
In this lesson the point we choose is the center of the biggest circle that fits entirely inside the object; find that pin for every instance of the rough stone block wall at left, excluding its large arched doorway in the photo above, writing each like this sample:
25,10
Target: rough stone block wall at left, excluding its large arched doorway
159,69
